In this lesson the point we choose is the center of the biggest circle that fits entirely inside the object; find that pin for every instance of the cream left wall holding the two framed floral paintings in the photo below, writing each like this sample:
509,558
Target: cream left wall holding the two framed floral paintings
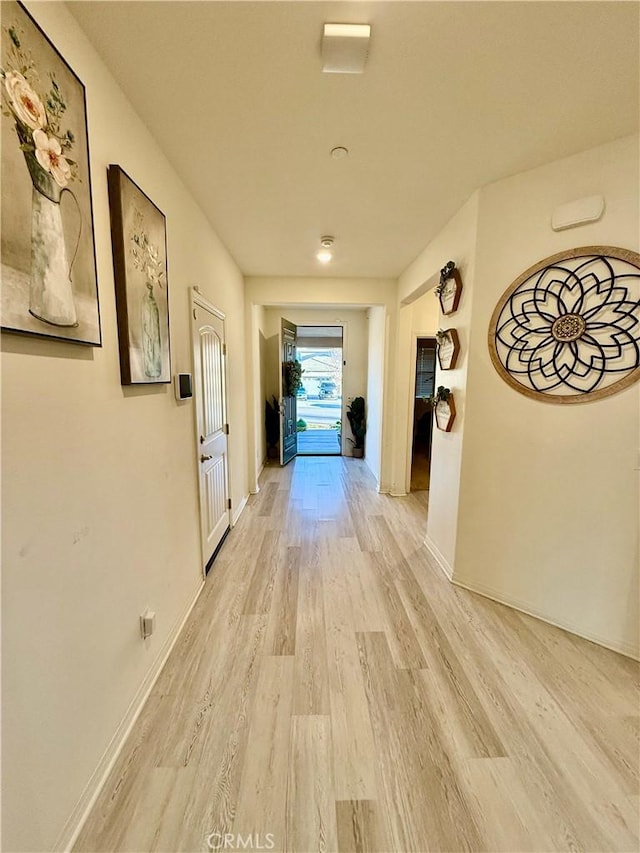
99,490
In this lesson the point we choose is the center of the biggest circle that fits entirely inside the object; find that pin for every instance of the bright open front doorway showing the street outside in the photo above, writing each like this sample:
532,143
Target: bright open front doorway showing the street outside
319,410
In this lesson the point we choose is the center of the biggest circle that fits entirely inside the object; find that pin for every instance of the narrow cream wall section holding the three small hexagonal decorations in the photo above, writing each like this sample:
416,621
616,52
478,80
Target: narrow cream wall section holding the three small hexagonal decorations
457,242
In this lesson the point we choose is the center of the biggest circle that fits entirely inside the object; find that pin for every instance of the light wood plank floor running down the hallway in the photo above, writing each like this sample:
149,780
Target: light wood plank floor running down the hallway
332,691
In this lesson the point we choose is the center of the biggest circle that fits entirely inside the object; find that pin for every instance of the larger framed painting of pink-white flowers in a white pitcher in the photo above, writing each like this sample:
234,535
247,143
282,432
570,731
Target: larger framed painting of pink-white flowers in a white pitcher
47,252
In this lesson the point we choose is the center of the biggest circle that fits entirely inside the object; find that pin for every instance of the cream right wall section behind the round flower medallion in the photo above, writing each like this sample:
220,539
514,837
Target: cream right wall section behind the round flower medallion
549,494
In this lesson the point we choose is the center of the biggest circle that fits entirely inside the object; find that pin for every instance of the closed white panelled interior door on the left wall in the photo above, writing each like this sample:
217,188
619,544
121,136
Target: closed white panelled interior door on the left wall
209,354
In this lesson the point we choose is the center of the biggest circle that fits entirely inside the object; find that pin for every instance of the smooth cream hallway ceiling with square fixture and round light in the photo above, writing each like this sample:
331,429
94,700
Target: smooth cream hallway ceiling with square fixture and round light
455,95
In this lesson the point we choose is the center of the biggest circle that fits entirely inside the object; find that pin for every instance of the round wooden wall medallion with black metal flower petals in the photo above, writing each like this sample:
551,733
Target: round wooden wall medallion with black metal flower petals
568,329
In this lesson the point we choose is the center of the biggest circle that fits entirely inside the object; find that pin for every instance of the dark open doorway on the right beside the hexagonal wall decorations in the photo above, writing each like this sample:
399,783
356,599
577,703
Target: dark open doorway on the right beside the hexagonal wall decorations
423,414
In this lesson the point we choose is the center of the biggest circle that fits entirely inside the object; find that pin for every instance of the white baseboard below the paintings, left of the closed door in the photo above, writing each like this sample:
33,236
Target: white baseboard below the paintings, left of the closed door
78,816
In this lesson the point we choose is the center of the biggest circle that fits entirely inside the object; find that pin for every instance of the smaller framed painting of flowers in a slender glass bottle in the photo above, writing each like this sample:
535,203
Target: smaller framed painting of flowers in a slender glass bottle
139,242
